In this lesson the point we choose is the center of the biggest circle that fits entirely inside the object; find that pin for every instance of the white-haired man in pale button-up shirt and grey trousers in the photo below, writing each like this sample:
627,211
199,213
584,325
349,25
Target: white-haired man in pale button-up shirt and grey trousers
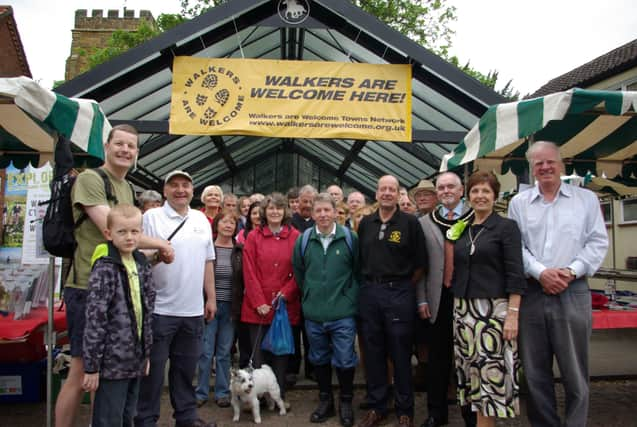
564,241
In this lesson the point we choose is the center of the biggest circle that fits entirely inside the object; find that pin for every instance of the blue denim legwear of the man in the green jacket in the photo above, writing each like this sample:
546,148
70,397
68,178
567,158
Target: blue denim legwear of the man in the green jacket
332,342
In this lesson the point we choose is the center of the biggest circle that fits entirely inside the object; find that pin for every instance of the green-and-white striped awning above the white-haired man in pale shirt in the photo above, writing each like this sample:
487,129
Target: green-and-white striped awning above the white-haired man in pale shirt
596,132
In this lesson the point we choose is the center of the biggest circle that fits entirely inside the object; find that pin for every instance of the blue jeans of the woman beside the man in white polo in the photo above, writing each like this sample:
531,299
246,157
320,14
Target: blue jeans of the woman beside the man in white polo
217,341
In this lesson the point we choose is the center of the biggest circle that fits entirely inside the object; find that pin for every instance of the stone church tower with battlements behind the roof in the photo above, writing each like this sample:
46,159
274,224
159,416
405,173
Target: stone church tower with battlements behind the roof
93,32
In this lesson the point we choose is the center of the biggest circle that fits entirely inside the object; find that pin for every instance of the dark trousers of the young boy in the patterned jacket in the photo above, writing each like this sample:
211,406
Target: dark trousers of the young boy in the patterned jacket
115,402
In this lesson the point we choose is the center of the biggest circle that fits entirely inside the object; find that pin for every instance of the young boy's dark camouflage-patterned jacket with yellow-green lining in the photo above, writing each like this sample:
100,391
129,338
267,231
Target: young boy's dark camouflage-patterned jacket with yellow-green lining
111,344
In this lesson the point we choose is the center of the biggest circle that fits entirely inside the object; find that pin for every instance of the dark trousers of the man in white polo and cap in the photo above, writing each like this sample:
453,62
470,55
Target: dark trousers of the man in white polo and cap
178,339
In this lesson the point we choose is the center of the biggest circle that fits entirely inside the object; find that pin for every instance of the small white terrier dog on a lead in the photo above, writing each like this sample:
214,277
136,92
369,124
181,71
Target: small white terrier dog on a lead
247,387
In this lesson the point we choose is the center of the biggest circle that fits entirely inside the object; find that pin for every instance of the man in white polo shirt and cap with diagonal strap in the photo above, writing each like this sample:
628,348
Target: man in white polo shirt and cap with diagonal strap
179,304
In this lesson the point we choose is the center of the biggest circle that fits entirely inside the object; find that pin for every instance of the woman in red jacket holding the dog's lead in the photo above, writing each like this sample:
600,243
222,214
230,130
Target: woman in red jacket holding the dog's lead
267,273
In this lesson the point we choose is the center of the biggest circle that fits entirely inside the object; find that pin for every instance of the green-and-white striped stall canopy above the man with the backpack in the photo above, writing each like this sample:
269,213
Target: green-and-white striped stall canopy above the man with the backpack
31,118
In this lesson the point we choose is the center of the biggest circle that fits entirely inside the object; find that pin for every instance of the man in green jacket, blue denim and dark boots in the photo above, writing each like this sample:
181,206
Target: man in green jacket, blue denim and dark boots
326,267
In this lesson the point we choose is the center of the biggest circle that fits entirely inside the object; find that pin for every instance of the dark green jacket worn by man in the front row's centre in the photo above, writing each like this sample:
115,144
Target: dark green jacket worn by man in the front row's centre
328,280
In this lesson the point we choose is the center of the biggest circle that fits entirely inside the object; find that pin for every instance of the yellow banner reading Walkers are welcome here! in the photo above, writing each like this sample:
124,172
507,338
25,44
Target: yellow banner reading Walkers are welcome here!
290,99
